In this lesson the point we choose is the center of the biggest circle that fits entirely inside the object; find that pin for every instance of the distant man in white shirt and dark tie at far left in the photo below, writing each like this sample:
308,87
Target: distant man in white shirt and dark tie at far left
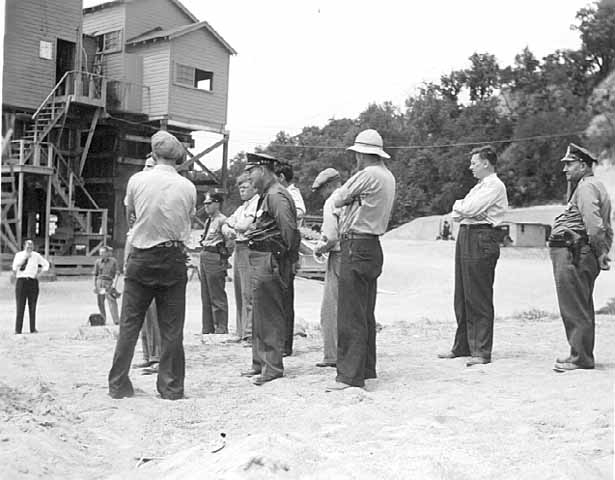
27,266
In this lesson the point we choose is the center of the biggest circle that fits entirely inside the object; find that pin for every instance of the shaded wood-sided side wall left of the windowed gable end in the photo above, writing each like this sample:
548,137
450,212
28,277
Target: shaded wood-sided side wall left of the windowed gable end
156,60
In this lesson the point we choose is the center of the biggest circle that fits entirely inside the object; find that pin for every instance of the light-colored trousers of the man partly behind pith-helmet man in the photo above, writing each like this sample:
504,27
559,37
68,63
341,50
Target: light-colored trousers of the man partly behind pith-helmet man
328,308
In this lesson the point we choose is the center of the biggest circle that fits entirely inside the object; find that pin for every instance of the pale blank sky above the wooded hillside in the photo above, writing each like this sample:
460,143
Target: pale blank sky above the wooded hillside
301,63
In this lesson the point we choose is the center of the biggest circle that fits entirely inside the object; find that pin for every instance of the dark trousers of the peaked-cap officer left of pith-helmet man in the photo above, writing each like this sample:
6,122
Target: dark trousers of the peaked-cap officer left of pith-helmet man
268,314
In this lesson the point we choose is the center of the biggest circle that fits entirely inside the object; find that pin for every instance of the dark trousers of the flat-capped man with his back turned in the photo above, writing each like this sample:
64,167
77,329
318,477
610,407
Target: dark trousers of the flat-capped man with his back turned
159,274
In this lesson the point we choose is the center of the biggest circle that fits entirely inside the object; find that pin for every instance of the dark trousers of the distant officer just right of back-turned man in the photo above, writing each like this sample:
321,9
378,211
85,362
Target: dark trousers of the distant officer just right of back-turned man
213,295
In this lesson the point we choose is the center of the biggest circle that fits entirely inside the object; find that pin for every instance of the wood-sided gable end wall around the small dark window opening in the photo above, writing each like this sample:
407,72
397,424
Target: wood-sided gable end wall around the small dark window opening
201,50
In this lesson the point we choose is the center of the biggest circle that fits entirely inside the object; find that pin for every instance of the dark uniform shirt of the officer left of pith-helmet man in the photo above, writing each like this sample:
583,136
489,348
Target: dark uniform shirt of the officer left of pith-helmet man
276,217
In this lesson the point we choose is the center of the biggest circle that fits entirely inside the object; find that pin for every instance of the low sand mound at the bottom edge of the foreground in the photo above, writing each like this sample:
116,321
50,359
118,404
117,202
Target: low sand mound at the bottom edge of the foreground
256,456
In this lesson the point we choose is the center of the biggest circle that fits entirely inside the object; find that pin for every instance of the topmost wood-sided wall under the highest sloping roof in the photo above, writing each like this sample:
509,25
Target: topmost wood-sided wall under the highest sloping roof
144,15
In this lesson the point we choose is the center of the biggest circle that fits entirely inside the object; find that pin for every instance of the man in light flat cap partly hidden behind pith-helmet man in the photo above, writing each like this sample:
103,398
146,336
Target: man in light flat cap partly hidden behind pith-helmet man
327,183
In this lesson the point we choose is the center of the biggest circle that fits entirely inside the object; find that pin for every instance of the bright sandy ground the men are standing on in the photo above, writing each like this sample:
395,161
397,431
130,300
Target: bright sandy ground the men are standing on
422,418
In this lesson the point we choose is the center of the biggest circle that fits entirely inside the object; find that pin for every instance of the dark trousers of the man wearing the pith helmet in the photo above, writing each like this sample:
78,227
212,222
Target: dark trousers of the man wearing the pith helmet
361,265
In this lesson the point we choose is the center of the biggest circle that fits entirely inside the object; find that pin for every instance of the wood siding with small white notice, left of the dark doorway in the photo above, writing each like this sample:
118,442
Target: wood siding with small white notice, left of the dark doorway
27,78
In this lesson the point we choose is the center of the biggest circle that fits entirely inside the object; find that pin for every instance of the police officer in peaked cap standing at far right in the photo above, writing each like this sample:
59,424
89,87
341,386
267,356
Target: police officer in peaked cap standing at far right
579,245
